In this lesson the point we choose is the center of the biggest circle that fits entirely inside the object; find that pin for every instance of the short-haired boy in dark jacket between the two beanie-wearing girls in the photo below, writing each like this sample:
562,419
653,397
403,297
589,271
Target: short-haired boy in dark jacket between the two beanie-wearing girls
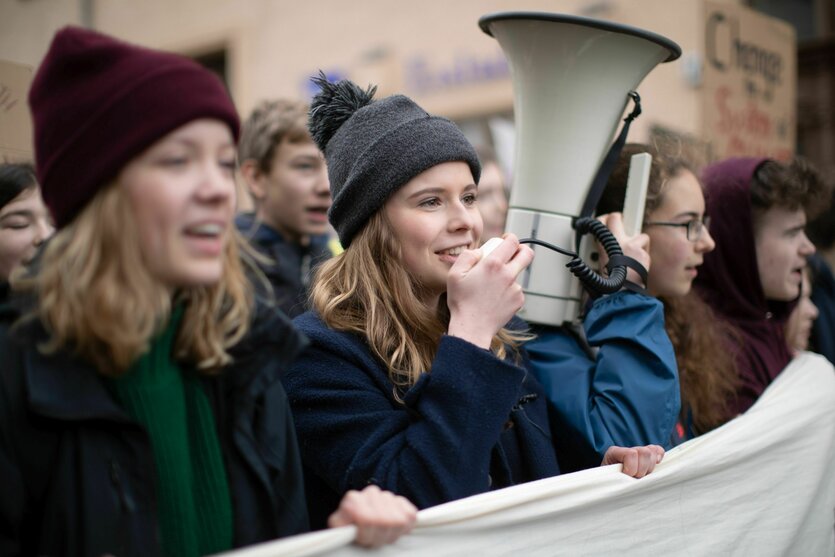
288,180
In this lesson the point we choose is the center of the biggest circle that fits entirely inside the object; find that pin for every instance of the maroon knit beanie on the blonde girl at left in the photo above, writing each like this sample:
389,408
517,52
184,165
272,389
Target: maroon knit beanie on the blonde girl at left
98,102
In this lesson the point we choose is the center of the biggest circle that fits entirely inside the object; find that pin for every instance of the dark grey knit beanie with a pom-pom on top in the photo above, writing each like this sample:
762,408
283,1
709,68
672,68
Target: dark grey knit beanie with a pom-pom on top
374,147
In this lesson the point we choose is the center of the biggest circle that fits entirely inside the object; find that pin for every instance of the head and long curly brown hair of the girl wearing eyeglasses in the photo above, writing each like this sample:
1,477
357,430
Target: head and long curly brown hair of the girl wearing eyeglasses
675,220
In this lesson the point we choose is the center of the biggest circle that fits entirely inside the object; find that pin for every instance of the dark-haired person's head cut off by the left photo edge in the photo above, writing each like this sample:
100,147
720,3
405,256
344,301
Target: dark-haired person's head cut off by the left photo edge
24,219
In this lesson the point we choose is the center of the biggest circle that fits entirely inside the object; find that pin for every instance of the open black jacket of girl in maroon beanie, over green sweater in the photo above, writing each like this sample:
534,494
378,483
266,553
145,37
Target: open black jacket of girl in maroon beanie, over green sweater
78,474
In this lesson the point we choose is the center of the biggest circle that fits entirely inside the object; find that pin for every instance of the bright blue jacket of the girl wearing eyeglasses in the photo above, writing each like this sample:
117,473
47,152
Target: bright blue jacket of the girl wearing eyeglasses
627,394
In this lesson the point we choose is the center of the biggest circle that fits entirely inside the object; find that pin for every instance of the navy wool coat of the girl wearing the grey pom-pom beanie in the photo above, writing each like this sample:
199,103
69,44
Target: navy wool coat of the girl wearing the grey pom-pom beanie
473,423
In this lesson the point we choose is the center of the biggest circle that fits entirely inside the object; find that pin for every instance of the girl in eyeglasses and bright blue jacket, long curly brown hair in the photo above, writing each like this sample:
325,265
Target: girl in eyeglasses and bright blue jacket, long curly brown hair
631,398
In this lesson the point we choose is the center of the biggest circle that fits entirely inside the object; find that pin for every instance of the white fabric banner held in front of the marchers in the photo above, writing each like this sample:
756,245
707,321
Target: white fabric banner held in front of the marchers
763,484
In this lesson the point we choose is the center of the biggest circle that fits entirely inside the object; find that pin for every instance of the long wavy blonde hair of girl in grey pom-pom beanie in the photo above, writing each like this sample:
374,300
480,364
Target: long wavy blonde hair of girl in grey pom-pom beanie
366,290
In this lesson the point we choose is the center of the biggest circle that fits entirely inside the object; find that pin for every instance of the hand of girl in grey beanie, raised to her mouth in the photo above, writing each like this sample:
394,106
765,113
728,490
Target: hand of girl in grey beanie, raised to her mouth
482,292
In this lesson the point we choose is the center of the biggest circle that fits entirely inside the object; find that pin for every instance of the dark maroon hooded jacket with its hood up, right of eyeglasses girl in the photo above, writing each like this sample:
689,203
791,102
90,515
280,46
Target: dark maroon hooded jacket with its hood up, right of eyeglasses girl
729,281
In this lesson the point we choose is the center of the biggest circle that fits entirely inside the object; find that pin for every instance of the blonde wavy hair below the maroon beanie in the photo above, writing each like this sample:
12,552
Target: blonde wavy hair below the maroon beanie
97,299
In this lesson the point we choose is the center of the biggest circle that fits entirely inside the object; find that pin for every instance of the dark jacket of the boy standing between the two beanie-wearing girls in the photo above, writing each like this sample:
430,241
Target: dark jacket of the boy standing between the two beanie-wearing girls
290,266
